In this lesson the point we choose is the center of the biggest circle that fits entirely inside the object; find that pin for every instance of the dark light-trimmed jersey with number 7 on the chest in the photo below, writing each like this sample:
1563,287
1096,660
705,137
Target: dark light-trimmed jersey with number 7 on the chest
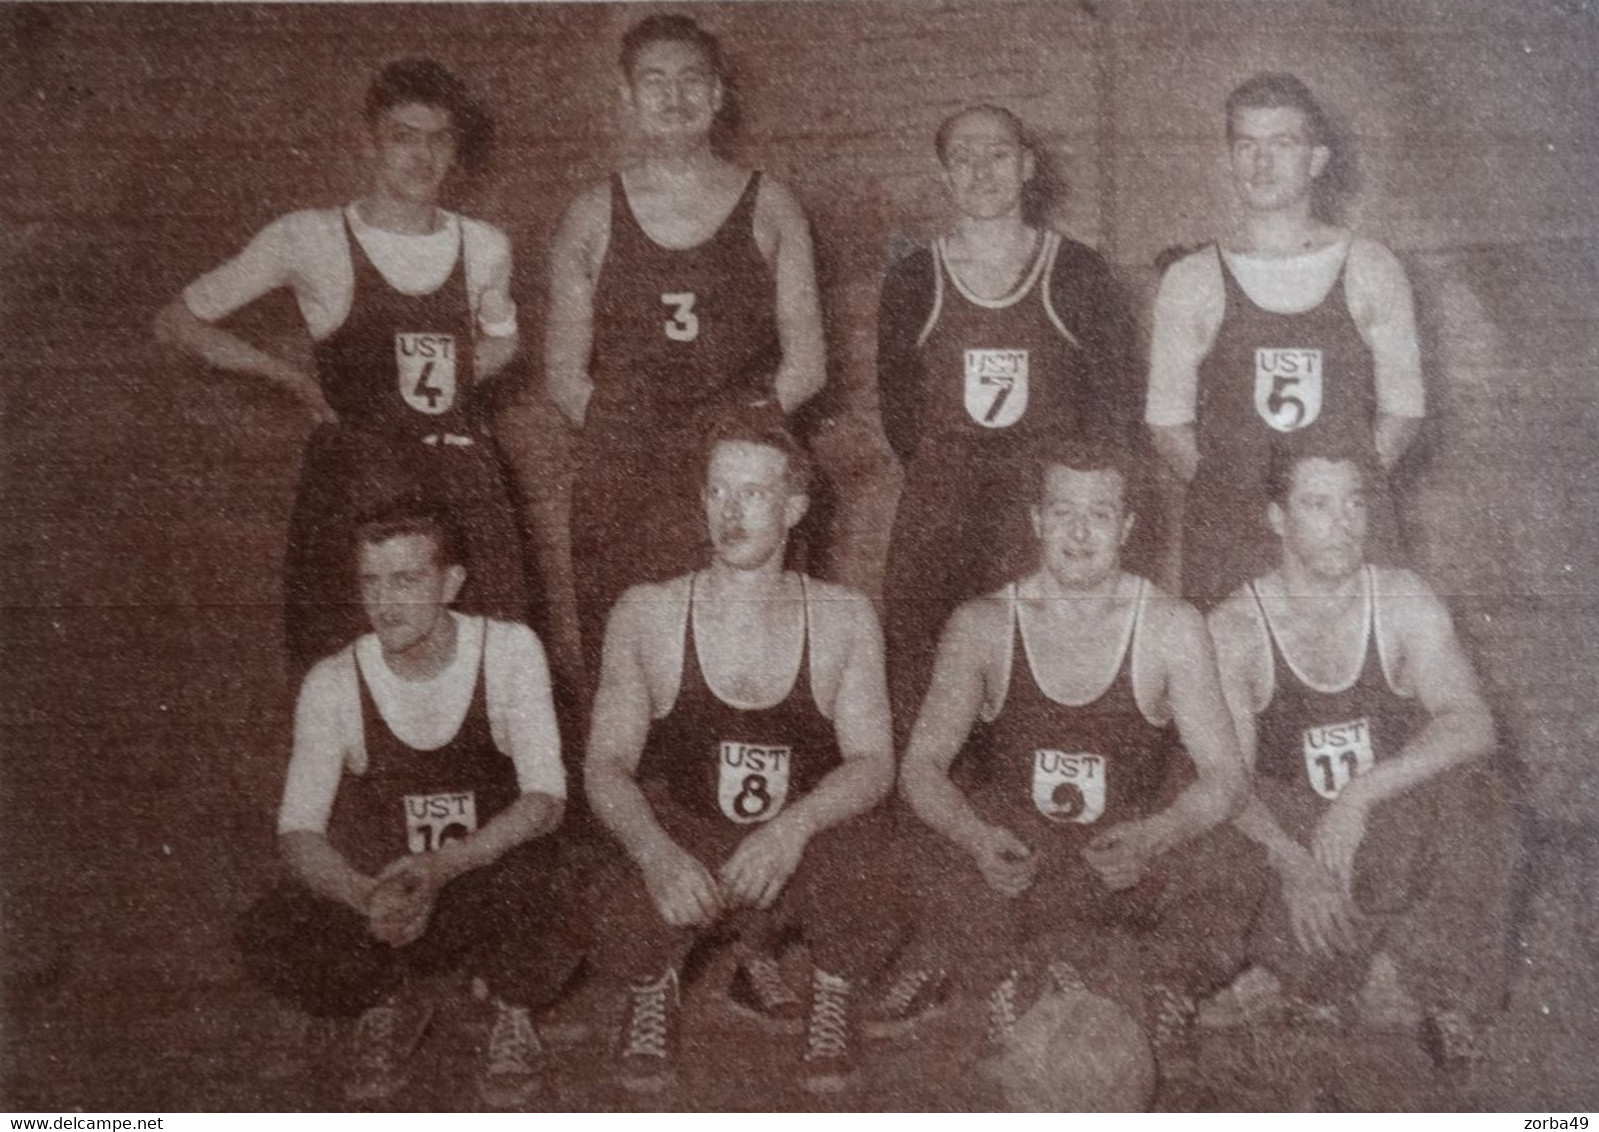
1000,372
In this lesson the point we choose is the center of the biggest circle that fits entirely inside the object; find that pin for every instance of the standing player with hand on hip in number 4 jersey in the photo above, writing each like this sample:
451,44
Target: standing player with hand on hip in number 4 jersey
409,308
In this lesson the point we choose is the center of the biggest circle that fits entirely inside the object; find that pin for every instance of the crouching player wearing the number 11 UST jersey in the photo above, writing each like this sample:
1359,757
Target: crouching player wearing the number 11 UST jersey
1368,738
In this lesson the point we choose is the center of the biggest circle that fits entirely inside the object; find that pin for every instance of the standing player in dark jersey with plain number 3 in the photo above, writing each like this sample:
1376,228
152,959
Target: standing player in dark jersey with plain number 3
679,287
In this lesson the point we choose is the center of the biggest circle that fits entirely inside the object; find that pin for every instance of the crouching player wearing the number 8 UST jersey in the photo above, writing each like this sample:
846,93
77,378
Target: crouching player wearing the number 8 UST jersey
740,738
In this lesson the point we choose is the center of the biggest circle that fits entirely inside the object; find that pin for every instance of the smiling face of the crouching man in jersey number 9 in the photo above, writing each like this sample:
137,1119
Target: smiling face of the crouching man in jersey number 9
1082,524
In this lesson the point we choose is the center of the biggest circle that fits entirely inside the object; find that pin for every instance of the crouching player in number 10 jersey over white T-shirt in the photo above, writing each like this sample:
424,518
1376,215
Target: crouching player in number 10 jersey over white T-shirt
425,784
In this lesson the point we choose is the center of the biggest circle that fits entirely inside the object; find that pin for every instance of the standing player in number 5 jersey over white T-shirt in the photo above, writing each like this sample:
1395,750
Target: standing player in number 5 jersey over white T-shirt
1294,329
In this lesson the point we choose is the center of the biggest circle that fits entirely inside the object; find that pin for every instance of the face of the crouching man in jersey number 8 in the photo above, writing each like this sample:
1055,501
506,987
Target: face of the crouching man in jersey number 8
749,504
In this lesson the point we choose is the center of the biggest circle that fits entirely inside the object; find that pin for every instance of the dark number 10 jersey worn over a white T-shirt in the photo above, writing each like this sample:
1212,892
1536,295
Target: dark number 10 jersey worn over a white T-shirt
412,800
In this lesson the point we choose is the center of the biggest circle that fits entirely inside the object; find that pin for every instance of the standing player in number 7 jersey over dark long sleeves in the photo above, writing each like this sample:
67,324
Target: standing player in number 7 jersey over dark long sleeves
995,337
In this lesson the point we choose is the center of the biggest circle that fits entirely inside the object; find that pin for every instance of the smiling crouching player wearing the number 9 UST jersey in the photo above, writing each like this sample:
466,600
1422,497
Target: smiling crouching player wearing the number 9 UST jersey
1088,811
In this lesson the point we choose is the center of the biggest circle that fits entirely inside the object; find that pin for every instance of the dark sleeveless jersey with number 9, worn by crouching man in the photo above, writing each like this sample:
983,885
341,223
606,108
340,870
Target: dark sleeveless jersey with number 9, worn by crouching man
1074,765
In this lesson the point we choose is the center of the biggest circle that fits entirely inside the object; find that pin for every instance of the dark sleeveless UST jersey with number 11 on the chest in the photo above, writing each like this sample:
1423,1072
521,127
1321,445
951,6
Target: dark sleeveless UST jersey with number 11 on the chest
1323,738
